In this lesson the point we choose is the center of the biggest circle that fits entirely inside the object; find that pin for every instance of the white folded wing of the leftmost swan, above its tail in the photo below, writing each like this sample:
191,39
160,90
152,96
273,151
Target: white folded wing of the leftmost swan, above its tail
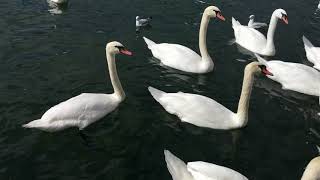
85,106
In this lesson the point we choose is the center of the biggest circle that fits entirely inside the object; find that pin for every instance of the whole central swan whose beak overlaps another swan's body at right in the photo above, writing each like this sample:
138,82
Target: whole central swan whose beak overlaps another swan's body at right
205,112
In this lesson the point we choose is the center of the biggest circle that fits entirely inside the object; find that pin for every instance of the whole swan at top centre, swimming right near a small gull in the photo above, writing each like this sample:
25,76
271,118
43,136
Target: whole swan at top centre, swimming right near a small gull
182,58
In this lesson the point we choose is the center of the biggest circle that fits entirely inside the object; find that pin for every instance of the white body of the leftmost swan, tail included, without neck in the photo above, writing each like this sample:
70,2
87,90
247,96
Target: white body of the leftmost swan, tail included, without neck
79,111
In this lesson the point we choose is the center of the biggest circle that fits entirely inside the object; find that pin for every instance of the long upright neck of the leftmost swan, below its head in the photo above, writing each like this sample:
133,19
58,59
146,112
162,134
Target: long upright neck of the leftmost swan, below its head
118,91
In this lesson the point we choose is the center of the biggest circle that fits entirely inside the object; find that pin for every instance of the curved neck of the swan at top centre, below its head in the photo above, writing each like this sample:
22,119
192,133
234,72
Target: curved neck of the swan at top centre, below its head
203,37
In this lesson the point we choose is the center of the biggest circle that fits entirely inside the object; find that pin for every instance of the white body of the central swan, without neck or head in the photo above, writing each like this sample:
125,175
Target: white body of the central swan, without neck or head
196,109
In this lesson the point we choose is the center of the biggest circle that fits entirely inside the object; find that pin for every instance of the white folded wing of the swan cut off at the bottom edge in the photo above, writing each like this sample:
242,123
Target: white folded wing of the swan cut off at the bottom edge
207,171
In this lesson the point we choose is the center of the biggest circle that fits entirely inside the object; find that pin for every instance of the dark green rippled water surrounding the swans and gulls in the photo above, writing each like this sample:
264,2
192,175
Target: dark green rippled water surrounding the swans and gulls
46,59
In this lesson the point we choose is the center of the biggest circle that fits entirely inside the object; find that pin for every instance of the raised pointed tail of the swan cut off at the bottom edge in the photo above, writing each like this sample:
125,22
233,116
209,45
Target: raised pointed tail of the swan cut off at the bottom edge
177,168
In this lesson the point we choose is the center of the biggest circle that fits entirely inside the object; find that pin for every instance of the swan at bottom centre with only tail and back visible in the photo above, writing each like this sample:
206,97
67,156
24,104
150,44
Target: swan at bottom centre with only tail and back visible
198,170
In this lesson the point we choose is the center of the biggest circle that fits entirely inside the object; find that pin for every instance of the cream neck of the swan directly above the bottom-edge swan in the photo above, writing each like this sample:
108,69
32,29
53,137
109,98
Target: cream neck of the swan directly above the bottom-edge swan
243,106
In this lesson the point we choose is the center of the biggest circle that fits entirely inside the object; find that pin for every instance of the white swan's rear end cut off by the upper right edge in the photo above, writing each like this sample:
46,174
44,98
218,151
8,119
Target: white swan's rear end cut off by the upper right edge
313,53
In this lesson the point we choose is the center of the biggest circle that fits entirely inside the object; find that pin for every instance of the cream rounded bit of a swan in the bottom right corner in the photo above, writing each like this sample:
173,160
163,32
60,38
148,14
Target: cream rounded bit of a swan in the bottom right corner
312,171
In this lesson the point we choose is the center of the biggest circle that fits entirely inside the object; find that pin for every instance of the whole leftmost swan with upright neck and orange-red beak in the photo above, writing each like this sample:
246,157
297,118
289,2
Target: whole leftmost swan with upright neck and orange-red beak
86,108
